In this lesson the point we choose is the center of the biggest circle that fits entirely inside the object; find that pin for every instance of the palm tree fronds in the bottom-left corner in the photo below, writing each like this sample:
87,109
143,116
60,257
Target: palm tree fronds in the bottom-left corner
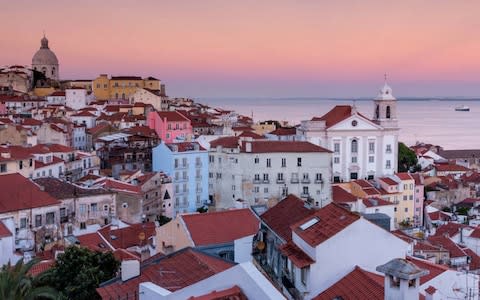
17,284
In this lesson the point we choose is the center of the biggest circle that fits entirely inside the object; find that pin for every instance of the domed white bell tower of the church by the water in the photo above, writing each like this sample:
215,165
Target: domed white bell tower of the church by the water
385,107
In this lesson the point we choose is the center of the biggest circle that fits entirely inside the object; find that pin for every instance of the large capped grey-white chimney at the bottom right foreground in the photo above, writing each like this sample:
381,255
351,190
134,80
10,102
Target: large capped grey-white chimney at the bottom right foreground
402,279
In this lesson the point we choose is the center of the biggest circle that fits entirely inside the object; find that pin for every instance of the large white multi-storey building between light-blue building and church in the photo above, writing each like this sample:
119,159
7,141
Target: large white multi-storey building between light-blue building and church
260,170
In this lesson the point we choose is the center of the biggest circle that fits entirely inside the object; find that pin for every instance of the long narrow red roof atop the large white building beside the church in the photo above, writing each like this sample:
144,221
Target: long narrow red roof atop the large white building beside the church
260,146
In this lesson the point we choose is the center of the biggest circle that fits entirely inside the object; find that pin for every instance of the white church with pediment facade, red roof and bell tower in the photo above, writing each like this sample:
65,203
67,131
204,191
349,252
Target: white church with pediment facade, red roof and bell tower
362,147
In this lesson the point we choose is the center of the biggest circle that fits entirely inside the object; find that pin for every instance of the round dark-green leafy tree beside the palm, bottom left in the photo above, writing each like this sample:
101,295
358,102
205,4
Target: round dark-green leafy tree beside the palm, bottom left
78,272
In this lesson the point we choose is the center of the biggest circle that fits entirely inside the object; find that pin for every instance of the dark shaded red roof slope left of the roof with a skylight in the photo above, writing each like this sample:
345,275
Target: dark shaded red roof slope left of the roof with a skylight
286,213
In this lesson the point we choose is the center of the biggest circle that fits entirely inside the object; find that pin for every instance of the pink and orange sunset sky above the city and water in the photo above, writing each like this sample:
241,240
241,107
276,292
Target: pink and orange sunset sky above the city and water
257,48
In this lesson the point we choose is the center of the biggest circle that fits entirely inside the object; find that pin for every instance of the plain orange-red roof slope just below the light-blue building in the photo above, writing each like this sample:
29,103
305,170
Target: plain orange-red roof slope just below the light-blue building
221,227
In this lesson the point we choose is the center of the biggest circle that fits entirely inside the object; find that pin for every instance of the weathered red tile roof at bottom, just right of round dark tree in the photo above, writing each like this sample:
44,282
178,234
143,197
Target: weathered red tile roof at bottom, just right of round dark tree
172,272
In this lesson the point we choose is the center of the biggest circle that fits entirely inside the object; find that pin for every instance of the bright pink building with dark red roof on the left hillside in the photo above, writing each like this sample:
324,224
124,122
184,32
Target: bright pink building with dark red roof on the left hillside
170,126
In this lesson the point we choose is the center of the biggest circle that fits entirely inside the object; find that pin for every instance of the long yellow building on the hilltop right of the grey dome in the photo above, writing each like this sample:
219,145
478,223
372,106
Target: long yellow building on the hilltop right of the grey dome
122,87
